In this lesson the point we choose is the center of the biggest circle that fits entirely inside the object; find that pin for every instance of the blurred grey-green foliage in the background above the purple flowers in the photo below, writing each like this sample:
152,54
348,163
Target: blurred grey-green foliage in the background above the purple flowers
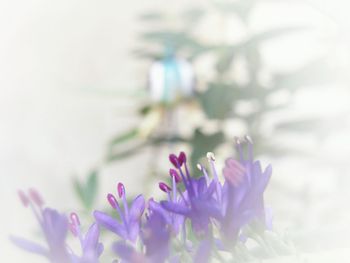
218,98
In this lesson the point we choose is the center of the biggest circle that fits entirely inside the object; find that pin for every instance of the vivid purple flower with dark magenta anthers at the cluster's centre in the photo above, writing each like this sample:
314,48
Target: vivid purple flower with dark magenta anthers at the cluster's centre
197,202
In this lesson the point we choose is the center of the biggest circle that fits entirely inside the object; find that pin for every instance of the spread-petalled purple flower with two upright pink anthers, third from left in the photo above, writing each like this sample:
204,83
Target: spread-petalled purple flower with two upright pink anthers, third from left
128,227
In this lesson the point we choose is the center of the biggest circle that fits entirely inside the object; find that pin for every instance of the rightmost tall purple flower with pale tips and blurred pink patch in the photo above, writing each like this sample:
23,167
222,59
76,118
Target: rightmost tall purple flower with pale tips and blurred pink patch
245,183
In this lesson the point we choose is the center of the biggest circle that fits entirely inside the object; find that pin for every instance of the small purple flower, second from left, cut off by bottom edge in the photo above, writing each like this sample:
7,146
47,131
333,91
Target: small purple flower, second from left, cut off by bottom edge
90,245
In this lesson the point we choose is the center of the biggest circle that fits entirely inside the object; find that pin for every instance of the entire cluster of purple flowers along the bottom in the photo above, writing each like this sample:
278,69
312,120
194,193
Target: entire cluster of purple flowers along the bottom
199,218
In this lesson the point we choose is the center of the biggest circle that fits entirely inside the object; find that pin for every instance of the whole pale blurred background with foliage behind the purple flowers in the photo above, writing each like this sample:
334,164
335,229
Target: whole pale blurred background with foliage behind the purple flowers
97,92
